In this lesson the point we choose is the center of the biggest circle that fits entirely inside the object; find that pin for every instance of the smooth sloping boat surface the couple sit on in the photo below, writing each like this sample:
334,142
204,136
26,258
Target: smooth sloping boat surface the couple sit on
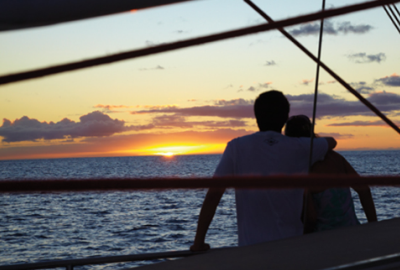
313,251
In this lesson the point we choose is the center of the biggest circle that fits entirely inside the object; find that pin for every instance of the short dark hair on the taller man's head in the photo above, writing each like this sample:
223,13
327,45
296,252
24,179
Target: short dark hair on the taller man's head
271,109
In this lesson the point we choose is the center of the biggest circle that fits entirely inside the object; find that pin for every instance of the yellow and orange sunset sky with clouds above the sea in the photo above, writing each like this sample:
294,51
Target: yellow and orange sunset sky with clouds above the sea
194,100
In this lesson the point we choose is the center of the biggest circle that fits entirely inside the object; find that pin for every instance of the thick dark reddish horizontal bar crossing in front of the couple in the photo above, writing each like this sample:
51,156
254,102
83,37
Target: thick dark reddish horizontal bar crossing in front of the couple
122,184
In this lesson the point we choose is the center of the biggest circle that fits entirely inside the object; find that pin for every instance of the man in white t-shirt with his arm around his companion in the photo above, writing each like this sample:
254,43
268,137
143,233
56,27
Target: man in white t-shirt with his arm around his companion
264,215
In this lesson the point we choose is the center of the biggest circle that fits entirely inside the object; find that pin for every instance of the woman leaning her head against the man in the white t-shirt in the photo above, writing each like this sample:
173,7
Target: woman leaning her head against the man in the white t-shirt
330,208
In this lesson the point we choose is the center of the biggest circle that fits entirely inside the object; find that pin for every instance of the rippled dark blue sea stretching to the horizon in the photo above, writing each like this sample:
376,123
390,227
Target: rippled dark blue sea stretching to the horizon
38,227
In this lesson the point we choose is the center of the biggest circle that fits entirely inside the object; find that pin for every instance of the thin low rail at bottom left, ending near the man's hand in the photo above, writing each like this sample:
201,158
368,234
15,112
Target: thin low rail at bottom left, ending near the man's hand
100,260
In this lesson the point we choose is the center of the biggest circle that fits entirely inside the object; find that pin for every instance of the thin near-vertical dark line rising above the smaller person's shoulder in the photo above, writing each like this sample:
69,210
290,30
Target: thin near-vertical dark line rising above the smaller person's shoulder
321,31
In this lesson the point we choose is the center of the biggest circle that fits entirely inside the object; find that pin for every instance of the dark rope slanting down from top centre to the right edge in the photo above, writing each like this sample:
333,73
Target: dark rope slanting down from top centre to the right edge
327,69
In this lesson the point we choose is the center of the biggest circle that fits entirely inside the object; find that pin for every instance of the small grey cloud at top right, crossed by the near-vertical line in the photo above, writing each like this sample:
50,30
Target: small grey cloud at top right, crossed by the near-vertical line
330,28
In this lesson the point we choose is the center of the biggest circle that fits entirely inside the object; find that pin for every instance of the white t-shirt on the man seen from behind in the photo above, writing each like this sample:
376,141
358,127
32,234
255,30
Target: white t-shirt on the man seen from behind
266,215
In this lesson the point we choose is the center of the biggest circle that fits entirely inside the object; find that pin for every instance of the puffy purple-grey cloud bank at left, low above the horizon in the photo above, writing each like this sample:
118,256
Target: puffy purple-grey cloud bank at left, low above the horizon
94,124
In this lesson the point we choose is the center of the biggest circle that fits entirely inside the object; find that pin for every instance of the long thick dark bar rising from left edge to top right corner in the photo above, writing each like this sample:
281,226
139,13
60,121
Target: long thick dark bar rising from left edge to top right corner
5,79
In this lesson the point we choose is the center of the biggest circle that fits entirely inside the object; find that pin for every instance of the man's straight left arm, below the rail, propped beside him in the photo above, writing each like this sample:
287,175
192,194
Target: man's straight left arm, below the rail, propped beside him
206,215
